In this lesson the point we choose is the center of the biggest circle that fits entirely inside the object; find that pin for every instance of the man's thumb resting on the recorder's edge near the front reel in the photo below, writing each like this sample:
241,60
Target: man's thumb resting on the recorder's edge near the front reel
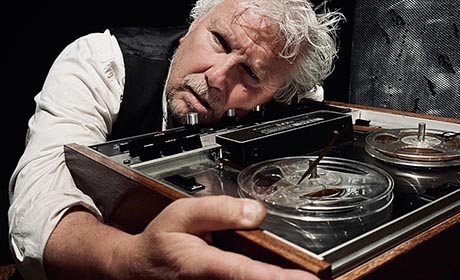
210,213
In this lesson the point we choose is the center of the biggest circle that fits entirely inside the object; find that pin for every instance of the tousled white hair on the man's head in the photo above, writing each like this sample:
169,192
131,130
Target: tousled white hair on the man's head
309,39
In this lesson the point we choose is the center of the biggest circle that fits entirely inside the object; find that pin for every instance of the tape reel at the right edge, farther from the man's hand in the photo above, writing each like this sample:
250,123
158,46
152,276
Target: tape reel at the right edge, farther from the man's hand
415,147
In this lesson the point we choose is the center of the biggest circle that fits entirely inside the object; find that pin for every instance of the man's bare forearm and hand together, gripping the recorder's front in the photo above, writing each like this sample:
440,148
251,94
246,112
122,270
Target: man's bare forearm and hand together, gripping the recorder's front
173,246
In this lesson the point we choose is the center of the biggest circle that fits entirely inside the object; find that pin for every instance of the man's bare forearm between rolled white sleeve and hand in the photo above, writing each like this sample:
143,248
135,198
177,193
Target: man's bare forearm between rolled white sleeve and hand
81,247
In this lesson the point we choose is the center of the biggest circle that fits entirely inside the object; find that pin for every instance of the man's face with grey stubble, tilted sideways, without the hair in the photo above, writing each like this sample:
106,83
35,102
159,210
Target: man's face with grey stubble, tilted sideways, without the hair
225,62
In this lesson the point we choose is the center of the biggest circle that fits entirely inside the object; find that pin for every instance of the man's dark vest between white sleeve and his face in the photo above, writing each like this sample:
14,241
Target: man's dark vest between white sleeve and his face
147,53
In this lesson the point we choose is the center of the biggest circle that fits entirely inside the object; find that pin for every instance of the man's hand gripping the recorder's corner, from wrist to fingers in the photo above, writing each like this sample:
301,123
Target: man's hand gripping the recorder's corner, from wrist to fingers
173,245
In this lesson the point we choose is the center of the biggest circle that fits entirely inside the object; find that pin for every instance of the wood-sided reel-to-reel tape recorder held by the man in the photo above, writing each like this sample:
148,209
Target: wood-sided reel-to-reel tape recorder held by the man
335,201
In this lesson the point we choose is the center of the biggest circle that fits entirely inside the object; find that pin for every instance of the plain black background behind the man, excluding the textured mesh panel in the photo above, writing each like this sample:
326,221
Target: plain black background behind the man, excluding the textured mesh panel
37,32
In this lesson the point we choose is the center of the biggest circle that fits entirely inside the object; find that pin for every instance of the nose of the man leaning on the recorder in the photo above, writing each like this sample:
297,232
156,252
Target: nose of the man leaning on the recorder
218,76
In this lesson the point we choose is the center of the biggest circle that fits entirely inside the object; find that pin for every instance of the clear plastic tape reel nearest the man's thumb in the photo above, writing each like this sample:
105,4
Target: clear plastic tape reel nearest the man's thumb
340,189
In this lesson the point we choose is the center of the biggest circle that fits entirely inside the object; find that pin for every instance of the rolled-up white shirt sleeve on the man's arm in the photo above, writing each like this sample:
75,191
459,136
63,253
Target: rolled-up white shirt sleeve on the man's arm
78,103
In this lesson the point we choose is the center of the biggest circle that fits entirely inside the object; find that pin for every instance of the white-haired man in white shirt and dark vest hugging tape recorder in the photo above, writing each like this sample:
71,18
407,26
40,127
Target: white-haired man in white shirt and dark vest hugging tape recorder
236,54
